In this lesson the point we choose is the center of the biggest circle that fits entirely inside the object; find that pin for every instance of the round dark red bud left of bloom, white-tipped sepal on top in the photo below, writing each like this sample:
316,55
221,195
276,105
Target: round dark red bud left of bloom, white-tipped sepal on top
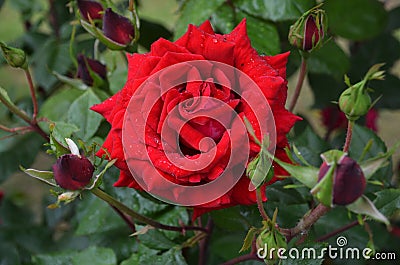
72,172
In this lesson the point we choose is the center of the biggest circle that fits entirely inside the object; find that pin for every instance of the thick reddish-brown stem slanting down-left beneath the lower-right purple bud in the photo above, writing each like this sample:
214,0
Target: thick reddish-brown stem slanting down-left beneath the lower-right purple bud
306,222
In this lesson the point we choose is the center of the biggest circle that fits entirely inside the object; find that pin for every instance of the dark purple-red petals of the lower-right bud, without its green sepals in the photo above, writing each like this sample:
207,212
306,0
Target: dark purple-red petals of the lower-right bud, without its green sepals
348,181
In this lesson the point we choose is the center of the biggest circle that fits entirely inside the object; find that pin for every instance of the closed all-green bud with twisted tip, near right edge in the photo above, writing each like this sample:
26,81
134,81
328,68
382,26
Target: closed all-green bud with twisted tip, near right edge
355,100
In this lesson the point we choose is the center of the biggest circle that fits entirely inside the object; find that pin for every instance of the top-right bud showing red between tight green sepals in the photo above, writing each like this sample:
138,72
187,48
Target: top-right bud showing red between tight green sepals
308,32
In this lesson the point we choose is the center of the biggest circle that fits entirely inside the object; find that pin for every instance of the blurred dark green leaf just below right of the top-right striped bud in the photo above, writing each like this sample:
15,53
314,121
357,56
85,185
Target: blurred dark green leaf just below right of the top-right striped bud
329,59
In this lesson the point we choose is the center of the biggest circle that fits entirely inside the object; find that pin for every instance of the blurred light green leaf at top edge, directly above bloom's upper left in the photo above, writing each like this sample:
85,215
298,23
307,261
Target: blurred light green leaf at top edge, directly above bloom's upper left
195,12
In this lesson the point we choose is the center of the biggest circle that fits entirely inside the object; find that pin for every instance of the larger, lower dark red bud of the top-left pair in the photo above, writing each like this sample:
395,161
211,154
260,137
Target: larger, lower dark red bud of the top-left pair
118,28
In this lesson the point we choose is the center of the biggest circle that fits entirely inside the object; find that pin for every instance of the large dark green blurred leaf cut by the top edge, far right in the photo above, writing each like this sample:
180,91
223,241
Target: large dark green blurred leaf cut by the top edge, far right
356,19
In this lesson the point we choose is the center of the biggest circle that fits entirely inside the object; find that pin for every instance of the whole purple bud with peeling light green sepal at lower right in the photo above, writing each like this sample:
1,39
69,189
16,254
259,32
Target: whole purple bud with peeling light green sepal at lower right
340,179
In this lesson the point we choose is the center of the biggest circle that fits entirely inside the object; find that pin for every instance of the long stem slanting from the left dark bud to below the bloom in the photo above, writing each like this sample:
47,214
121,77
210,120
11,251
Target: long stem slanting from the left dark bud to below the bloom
141,218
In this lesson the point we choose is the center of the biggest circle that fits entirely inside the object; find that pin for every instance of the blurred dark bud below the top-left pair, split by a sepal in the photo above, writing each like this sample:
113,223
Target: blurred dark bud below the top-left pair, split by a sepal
87,65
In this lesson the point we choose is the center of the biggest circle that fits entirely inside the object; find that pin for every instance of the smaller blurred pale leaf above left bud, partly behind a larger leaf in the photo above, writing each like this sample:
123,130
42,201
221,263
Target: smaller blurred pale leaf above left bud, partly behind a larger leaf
55,108
